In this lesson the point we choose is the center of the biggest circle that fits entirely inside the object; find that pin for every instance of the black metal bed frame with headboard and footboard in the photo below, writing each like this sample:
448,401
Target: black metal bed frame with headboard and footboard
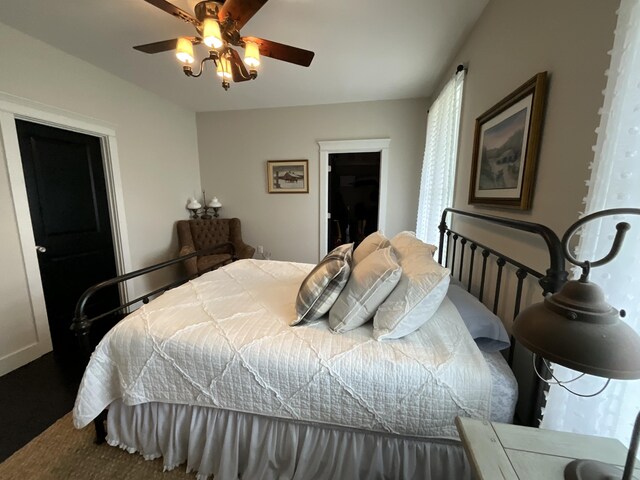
531,403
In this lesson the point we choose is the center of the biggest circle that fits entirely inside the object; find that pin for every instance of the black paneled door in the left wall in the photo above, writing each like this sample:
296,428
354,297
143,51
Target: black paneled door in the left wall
66,188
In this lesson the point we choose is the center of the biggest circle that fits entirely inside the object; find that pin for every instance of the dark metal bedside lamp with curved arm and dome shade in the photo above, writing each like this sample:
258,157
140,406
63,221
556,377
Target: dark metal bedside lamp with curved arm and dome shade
577,328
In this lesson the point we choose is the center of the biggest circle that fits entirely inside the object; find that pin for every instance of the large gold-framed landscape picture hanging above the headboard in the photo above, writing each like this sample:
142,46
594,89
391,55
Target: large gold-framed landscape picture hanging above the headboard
505,148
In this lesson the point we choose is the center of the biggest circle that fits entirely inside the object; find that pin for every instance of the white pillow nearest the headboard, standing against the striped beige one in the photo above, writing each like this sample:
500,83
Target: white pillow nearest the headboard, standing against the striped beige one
422,287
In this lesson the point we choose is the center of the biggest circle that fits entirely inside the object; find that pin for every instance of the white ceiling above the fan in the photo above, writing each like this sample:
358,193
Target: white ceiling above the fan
365,49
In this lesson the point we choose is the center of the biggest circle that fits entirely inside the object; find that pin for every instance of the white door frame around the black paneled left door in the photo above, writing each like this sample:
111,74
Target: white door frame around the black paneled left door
12,108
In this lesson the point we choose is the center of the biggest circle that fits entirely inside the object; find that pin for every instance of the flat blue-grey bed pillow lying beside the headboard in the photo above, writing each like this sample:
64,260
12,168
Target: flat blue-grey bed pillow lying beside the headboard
485,327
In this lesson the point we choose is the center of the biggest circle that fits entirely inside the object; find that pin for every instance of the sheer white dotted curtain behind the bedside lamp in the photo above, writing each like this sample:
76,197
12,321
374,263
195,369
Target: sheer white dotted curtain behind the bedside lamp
614,183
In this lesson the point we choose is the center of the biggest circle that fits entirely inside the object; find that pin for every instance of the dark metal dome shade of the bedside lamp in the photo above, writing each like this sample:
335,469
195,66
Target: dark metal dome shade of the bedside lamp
577,328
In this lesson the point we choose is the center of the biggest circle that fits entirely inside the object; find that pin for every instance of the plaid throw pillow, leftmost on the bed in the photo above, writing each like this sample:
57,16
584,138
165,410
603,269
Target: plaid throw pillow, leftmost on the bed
324,283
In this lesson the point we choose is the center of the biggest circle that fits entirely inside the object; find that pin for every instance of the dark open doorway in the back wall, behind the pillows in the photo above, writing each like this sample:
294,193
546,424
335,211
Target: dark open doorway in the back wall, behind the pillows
354,191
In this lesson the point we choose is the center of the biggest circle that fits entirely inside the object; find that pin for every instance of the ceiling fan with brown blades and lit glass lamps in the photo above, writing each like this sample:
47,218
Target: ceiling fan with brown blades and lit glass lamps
218,23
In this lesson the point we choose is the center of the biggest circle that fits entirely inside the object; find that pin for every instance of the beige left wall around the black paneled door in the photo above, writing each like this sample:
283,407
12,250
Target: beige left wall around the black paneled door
156,144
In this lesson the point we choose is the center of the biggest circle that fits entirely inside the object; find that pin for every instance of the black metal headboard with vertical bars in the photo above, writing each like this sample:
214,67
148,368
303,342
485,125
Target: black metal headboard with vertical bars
532,394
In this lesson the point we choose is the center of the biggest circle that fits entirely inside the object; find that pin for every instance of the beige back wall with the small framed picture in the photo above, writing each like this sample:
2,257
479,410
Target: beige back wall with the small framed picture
234,148
